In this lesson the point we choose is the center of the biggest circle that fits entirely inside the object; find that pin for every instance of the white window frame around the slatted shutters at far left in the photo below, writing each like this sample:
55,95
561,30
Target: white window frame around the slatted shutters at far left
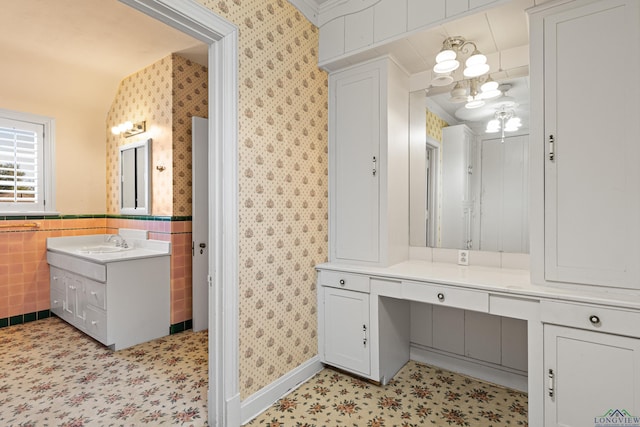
47,205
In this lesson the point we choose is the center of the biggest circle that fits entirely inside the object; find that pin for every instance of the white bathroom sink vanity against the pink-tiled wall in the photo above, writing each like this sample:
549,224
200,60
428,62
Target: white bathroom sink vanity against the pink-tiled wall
118,295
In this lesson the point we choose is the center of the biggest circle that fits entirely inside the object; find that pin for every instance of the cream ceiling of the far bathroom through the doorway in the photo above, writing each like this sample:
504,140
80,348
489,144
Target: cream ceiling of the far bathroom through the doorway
82,49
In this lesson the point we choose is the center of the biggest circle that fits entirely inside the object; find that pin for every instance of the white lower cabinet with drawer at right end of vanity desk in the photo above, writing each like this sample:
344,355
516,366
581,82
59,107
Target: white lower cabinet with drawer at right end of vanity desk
590,374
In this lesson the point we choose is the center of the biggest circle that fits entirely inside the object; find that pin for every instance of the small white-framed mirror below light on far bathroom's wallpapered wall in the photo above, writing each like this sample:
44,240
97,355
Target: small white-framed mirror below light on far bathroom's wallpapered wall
135,179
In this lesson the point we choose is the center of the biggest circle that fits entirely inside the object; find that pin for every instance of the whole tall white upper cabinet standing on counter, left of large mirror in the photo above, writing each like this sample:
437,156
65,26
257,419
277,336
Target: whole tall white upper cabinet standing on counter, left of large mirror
368,164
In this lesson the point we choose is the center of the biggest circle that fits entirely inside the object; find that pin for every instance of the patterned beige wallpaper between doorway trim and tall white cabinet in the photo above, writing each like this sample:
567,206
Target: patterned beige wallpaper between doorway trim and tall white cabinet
283,186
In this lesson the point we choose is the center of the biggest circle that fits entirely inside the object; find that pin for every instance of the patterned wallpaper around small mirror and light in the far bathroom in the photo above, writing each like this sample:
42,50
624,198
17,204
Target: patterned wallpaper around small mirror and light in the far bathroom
164,94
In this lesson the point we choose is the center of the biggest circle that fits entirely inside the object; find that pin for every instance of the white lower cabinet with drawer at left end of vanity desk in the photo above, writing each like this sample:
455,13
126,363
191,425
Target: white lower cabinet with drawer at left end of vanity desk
358,331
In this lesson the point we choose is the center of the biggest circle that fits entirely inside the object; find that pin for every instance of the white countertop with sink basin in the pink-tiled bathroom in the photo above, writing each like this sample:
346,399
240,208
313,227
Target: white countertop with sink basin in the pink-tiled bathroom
138,248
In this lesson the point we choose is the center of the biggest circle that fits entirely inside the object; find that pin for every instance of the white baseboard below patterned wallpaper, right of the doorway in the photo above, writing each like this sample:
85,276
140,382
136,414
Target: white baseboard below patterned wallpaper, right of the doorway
267,396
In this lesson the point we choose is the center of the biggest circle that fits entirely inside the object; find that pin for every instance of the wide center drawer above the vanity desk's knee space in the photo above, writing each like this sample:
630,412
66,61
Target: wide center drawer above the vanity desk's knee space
446,295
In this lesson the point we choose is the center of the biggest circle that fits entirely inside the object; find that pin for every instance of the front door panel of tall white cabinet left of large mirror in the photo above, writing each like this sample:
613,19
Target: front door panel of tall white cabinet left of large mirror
354,185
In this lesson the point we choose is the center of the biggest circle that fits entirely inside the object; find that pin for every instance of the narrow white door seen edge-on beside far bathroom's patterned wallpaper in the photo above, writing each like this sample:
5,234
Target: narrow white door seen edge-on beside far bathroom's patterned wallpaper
200,223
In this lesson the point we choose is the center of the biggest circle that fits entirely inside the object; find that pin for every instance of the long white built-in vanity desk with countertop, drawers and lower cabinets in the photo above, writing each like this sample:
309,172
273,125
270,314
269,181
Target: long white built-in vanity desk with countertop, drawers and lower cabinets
365,320
